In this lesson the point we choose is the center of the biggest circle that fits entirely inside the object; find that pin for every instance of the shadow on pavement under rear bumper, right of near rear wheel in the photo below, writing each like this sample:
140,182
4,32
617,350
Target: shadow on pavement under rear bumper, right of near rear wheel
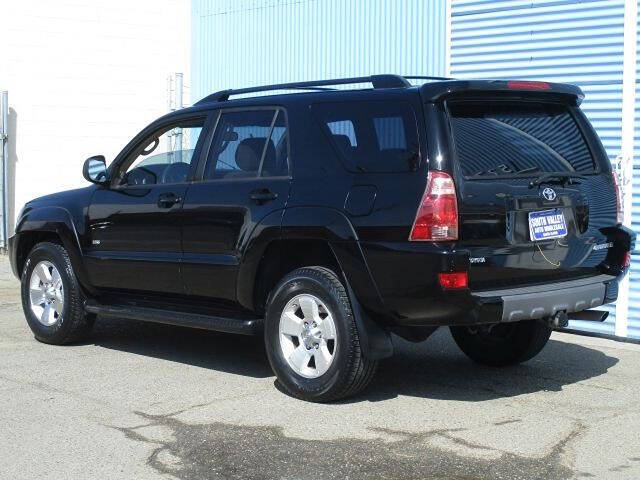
437,369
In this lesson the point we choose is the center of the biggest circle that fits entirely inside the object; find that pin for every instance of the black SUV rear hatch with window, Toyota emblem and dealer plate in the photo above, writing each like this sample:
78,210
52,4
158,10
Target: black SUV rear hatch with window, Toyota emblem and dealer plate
535,190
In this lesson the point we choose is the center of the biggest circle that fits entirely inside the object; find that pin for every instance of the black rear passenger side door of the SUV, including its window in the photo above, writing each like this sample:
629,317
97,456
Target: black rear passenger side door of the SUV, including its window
243,185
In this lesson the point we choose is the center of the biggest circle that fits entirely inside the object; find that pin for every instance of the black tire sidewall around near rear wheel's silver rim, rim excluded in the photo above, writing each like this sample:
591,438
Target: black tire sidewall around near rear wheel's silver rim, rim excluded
342,316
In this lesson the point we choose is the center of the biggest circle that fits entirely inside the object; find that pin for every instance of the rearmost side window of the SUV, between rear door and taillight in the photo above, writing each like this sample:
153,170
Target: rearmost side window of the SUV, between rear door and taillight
374,136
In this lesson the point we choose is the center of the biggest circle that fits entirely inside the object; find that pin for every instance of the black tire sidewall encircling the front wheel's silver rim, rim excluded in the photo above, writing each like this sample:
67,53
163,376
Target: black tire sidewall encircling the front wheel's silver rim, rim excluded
59,329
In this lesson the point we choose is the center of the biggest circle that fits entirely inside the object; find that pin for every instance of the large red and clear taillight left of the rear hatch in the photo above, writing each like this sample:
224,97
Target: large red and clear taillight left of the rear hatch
437,217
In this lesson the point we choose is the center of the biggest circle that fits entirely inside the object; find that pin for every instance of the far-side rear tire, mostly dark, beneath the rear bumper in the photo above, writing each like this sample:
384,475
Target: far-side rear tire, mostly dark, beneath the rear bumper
504,344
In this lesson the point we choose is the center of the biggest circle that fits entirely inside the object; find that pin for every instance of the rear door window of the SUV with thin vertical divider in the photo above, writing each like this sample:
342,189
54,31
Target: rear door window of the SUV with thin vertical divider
247,144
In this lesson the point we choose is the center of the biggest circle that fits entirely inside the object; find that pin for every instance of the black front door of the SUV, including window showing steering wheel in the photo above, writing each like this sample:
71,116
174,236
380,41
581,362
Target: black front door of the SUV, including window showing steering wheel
134,226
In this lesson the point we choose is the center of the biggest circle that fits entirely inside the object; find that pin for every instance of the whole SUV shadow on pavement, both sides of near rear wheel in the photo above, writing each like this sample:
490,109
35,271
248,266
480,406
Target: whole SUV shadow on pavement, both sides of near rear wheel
434,369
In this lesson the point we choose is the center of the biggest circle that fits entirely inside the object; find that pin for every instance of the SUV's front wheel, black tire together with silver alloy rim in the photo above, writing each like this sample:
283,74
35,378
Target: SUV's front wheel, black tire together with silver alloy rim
57,328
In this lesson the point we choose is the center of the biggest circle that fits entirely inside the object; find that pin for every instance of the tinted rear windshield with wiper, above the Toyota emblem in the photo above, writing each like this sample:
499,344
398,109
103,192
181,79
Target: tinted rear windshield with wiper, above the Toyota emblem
507,139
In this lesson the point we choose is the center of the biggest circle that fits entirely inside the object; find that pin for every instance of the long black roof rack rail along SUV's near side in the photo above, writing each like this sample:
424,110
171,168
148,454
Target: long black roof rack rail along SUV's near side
378,81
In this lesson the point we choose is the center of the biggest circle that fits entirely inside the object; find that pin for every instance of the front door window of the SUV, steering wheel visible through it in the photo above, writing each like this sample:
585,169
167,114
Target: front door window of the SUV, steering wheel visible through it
166,156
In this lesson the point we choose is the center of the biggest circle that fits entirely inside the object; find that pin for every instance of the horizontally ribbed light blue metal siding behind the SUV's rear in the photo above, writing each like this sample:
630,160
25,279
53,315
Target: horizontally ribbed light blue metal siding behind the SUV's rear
578,42
